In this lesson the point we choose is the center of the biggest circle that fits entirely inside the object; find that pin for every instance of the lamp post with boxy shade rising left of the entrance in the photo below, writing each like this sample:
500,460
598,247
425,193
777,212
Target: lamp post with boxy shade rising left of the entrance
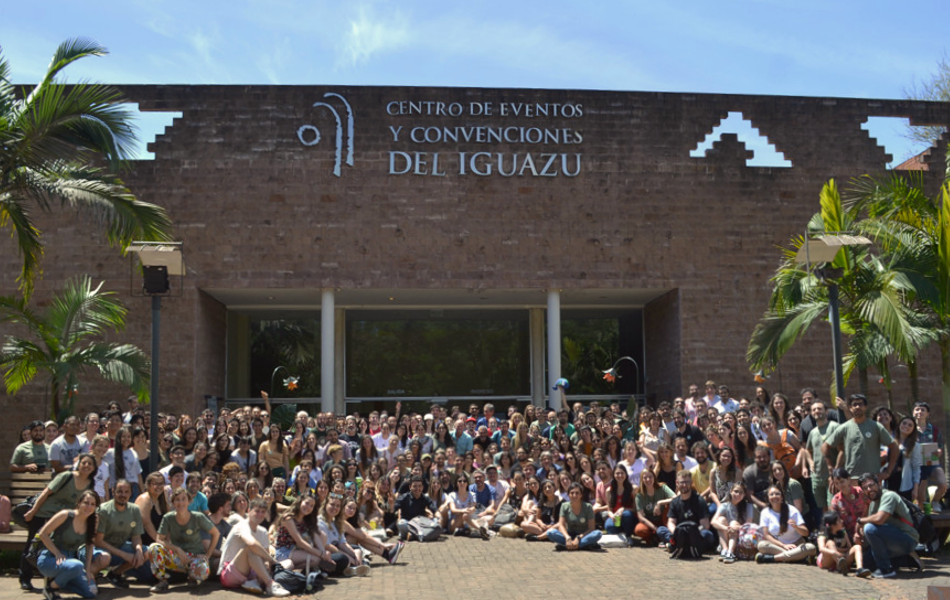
159,260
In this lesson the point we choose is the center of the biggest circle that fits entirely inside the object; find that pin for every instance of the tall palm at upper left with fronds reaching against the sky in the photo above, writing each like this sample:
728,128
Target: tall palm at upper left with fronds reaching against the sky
52,139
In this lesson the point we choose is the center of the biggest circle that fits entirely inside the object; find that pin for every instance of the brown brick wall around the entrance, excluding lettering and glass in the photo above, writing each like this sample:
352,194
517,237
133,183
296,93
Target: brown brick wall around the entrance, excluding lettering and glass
257,209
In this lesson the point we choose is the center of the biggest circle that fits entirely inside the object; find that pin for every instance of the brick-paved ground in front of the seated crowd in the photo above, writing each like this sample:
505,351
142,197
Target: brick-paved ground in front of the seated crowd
455,567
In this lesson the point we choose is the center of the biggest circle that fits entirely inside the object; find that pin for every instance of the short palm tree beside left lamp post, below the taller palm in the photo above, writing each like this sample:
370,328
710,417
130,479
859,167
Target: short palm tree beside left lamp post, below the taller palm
63,343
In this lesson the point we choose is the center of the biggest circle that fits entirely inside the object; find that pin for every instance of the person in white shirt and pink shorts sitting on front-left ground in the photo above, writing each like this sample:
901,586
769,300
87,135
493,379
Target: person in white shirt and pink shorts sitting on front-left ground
245,558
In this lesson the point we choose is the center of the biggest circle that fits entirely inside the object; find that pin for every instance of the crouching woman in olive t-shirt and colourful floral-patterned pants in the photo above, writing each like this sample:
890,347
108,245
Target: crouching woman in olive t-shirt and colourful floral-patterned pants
179,546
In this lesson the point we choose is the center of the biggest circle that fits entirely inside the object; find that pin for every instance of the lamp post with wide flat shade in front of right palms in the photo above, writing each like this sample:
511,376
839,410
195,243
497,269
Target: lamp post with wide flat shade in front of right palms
823,249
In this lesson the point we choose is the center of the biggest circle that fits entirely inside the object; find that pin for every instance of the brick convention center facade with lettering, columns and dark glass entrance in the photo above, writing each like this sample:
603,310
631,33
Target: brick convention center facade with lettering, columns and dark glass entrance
385,243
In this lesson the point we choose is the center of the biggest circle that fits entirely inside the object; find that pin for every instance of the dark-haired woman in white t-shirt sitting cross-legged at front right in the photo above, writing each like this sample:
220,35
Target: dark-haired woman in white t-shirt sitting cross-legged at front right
784,531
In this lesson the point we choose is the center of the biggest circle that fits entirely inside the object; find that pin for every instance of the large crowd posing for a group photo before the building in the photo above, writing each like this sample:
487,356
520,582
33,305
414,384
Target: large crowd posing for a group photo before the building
233,495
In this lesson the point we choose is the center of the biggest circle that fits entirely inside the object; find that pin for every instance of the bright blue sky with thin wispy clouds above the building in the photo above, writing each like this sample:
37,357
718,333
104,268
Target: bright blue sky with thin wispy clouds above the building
804,47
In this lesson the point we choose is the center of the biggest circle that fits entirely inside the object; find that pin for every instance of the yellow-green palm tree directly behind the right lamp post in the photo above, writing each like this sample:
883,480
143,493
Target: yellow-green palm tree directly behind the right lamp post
874,314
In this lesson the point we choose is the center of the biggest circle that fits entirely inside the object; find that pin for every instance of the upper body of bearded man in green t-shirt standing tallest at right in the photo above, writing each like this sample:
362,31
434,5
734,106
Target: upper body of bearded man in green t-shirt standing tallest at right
859,442
